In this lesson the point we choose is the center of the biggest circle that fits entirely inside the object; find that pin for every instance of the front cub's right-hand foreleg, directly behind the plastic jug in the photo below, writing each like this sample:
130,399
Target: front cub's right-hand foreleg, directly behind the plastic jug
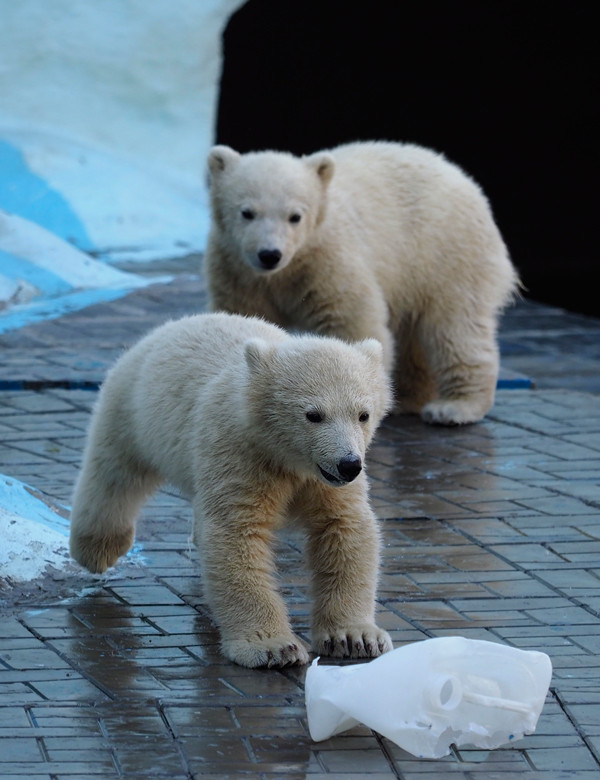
343,550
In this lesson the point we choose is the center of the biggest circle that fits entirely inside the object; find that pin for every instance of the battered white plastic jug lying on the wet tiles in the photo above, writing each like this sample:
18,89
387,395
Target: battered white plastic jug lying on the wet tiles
428,695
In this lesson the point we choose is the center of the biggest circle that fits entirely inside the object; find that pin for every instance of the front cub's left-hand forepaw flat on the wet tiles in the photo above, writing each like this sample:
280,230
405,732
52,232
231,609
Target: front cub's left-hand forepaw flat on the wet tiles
275,651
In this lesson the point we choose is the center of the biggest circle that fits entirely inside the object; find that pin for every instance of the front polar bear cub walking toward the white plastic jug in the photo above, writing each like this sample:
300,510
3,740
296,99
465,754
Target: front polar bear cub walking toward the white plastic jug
254,426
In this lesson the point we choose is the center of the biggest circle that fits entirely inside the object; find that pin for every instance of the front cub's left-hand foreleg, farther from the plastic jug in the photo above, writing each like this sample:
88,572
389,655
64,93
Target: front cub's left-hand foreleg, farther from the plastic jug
235,542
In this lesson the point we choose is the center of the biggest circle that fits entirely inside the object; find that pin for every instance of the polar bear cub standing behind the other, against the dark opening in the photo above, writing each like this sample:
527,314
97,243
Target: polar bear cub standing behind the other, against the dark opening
373,239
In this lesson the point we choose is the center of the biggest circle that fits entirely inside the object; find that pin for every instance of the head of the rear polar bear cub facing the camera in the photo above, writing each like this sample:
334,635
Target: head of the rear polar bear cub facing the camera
266,205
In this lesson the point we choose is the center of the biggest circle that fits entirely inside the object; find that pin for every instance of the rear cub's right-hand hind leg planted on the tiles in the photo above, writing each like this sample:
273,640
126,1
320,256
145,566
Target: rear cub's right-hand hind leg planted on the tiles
464,359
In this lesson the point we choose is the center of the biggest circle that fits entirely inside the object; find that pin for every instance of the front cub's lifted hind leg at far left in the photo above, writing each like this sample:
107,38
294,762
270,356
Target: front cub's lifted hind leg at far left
108,495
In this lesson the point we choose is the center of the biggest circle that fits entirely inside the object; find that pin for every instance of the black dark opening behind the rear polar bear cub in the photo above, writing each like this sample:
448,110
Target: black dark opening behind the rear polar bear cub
508,90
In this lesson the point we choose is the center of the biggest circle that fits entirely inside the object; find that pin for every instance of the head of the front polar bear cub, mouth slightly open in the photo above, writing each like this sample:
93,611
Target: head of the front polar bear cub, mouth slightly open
315,403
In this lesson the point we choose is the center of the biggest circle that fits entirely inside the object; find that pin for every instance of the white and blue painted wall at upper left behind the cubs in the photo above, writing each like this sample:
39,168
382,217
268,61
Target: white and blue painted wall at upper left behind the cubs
107,110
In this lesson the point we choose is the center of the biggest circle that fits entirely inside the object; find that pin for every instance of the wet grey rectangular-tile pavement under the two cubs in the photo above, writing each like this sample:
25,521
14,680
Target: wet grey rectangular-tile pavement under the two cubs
490,531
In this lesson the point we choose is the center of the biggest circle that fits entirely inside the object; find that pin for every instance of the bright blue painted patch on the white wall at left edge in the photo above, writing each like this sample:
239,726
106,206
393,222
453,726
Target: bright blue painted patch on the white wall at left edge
26,194
